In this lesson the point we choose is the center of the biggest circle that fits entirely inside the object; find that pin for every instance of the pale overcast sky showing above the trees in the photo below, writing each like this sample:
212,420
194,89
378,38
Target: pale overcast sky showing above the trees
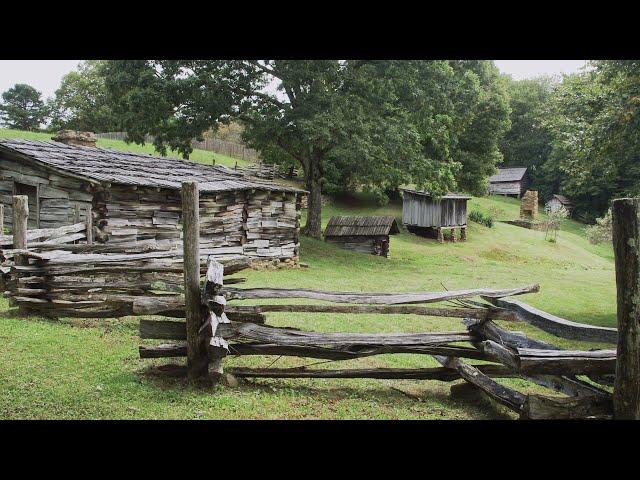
45,75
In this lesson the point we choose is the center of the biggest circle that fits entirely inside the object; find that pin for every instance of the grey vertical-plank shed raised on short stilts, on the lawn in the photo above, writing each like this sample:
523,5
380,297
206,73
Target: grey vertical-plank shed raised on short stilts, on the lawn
423,214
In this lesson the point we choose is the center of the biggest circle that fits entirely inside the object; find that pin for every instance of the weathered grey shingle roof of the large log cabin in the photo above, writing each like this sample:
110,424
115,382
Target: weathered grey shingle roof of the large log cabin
102,165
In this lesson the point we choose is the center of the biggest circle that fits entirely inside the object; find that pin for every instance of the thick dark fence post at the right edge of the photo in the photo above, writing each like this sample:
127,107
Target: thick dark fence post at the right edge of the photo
626,245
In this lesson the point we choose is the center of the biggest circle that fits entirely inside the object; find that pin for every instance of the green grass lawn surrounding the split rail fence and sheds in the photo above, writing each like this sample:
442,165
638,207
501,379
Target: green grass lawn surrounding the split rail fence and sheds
90,368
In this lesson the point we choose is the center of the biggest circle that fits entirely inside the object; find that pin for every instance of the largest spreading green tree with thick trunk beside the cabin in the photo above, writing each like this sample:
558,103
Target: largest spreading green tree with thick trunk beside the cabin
377,124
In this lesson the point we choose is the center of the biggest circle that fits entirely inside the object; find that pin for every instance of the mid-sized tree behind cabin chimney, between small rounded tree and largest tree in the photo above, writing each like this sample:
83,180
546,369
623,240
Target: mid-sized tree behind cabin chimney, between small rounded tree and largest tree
81,101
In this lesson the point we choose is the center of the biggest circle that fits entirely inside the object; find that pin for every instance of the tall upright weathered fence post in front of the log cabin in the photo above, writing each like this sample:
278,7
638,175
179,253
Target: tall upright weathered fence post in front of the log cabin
197,358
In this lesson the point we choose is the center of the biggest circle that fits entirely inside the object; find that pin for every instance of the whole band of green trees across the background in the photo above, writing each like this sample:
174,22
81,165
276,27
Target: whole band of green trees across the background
370,125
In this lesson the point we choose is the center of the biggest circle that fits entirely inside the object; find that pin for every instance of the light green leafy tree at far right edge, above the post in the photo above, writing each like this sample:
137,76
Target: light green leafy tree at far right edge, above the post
594,122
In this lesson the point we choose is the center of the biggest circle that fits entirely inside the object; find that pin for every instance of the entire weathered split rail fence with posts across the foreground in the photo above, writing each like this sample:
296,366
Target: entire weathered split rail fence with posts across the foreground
109,281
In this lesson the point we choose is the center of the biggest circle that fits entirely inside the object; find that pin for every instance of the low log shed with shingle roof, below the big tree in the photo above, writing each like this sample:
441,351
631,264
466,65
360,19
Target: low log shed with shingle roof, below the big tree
362,234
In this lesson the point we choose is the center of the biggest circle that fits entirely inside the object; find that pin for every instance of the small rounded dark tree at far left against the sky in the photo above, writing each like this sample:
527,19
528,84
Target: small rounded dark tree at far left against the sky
22,108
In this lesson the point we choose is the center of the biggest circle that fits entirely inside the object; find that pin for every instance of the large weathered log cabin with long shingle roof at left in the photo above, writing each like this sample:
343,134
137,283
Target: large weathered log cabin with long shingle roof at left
133,197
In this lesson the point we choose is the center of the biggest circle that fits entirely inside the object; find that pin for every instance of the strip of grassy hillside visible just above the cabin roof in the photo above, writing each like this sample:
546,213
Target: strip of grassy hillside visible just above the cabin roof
200,156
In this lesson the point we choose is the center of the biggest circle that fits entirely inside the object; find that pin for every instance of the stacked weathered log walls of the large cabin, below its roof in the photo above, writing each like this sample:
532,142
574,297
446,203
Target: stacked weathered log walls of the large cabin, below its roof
256,223
